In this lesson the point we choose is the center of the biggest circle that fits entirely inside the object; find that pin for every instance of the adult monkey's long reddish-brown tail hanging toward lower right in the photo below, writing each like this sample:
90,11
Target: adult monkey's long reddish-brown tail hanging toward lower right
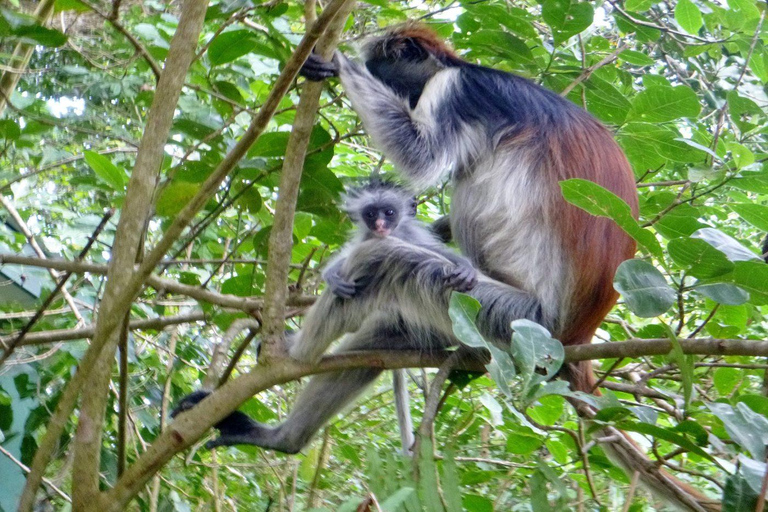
623,451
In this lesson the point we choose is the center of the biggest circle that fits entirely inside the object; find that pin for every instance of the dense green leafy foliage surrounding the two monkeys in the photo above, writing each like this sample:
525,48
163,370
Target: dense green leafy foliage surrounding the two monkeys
681,84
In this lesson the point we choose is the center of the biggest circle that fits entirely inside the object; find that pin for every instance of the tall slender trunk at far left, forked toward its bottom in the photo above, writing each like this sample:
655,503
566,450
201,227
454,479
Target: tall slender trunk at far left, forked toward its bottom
97,363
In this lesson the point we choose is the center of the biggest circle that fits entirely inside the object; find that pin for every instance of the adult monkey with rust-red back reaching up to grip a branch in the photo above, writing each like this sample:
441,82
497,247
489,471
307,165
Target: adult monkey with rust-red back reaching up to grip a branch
506,143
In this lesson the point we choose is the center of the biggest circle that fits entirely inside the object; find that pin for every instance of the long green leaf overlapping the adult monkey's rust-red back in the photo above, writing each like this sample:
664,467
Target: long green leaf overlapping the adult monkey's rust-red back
596,200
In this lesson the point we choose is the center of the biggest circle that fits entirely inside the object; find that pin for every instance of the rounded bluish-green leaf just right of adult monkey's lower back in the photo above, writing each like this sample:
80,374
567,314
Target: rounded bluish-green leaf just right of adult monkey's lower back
644,288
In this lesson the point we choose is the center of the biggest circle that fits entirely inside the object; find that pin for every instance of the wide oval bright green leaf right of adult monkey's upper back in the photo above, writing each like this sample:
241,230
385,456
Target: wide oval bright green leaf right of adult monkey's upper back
657,104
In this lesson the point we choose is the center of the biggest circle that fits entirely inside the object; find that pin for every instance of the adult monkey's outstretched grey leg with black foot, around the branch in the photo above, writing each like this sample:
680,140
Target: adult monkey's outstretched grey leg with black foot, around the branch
326,394
